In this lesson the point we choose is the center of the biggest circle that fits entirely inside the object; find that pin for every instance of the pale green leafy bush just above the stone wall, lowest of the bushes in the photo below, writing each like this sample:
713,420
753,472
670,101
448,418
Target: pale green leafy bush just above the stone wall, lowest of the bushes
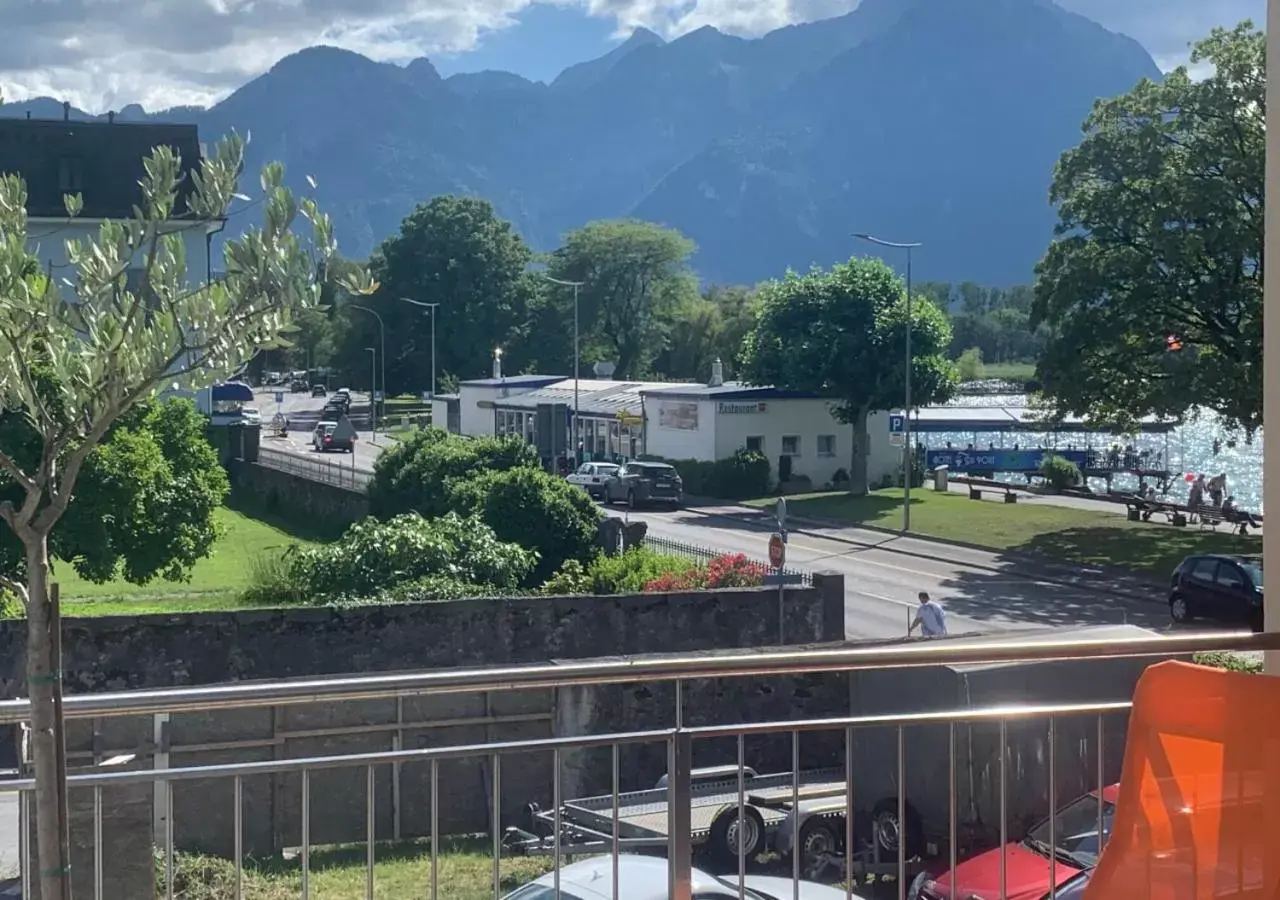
376,558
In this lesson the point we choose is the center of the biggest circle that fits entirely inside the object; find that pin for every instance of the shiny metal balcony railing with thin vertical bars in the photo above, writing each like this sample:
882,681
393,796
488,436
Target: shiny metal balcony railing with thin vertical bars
730,805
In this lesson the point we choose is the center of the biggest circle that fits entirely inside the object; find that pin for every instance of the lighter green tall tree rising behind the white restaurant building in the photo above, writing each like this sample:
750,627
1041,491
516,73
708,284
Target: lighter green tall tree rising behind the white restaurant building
636,277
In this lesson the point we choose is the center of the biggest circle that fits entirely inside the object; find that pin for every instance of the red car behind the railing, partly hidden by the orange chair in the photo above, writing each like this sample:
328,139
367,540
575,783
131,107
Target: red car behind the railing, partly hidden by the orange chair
1027,862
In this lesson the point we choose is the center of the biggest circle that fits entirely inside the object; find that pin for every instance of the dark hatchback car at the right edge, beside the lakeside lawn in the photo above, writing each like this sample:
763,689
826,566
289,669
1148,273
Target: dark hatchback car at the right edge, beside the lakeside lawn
1217,587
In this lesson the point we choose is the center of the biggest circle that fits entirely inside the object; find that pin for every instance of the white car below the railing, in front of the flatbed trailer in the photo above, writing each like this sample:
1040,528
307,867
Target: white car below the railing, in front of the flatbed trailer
646,879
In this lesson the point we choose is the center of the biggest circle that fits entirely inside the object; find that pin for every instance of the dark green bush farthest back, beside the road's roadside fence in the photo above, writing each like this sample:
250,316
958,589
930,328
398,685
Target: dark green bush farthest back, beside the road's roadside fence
418,474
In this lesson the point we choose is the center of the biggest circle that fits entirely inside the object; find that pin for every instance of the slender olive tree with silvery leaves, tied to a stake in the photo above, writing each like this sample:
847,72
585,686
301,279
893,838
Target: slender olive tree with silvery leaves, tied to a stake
109,342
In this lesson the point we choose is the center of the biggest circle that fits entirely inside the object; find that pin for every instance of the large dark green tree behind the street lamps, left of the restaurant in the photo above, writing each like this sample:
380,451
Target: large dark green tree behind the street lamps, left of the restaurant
454,252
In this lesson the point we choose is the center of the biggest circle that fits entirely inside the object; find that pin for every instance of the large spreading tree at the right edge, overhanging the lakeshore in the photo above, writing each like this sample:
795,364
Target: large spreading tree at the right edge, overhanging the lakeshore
1160,246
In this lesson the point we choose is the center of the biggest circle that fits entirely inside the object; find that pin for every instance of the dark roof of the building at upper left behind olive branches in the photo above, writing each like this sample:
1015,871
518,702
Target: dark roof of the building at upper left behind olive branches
99,161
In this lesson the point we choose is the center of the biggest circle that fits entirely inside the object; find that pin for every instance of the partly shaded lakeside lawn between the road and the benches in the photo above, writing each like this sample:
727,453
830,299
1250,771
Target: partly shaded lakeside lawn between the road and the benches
1067,533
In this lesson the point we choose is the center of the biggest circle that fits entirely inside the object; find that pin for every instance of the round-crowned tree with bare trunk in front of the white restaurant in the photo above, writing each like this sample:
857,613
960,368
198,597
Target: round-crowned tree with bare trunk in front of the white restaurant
842,335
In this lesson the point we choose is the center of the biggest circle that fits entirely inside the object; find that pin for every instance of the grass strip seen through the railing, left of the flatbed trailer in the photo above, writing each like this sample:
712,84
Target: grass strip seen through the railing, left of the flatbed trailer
401,871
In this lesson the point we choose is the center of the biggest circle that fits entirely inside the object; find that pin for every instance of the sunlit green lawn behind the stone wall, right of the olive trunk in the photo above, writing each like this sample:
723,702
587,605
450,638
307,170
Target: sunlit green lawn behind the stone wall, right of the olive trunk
216,583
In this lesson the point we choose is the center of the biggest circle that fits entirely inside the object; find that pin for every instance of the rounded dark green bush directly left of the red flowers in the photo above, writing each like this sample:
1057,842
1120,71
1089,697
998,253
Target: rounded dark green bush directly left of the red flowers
536,510
